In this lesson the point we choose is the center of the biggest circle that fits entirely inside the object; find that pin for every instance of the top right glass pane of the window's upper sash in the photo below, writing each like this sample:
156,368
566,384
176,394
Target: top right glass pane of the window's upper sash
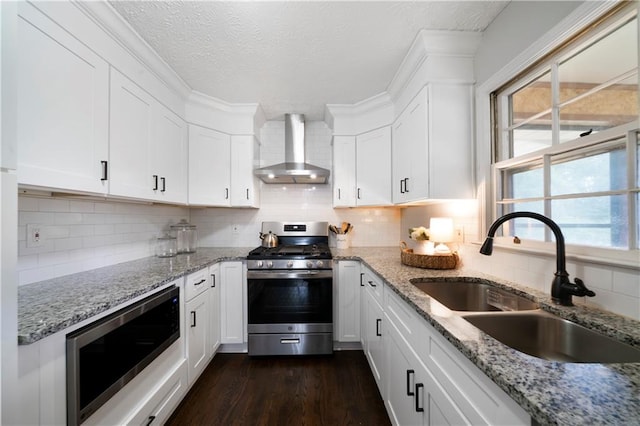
600,62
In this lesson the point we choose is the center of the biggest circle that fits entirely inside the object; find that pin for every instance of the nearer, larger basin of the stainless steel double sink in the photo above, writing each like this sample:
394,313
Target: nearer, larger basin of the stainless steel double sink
546,336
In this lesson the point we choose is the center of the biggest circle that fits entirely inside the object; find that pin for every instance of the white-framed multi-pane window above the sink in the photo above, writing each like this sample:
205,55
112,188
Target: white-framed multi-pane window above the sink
566,140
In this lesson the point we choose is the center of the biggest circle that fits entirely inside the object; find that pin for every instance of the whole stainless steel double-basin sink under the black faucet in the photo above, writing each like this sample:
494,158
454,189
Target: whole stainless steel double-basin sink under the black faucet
520,324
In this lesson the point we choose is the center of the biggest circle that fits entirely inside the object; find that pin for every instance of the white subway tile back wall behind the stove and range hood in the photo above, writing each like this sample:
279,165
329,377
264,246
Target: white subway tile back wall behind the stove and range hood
372,227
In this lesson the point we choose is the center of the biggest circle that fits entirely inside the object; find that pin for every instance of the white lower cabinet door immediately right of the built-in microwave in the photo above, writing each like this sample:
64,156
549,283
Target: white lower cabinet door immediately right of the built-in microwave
197,324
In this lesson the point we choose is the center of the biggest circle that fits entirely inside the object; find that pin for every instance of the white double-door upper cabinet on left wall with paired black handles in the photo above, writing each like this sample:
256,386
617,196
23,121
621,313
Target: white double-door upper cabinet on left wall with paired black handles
147,146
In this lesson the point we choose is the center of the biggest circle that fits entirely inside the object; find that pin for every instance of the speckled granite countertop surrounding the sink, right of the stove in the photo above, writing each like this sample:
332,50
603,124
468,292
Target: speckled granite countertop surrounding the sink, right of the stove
551,392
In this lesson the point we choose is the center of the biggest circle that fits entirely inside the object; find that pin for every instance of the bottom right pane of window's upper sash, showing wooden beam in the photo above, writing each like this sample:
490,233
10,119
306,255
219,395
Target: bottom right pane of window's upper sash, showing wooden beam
612,106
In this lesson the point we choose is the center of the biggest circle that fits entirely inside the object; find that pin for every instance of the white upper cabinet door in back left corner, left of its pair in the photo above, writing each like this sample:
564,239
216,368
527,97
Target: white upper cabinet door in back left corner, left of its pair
209,167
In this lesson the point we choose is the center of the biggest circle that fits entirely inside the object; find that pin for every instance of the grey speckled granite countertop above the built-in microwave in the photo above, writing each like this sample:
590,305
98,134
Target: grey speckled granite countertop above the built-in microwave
47,307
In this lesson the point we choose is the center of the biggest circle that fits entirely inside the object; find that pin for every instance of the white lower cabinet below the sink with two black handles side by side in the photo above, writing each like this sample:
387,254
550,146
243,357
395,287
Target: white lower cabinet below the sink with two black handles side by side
447,388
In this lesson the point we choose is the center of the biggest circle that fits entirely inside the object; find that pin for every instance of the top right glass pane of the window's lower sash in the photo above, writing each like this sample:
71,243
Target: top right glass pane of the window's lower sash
603,171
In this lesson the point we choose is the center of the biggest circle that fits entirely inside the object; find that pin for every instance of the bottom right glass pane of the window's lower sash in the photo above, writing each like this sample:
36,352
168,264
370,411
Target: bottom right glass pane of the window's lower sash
594,221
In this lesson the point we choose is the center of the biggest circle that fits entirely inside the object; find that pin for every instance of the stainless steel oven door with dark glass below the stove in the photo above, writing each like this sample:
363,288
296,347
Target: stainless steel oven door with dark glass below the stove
290,301
